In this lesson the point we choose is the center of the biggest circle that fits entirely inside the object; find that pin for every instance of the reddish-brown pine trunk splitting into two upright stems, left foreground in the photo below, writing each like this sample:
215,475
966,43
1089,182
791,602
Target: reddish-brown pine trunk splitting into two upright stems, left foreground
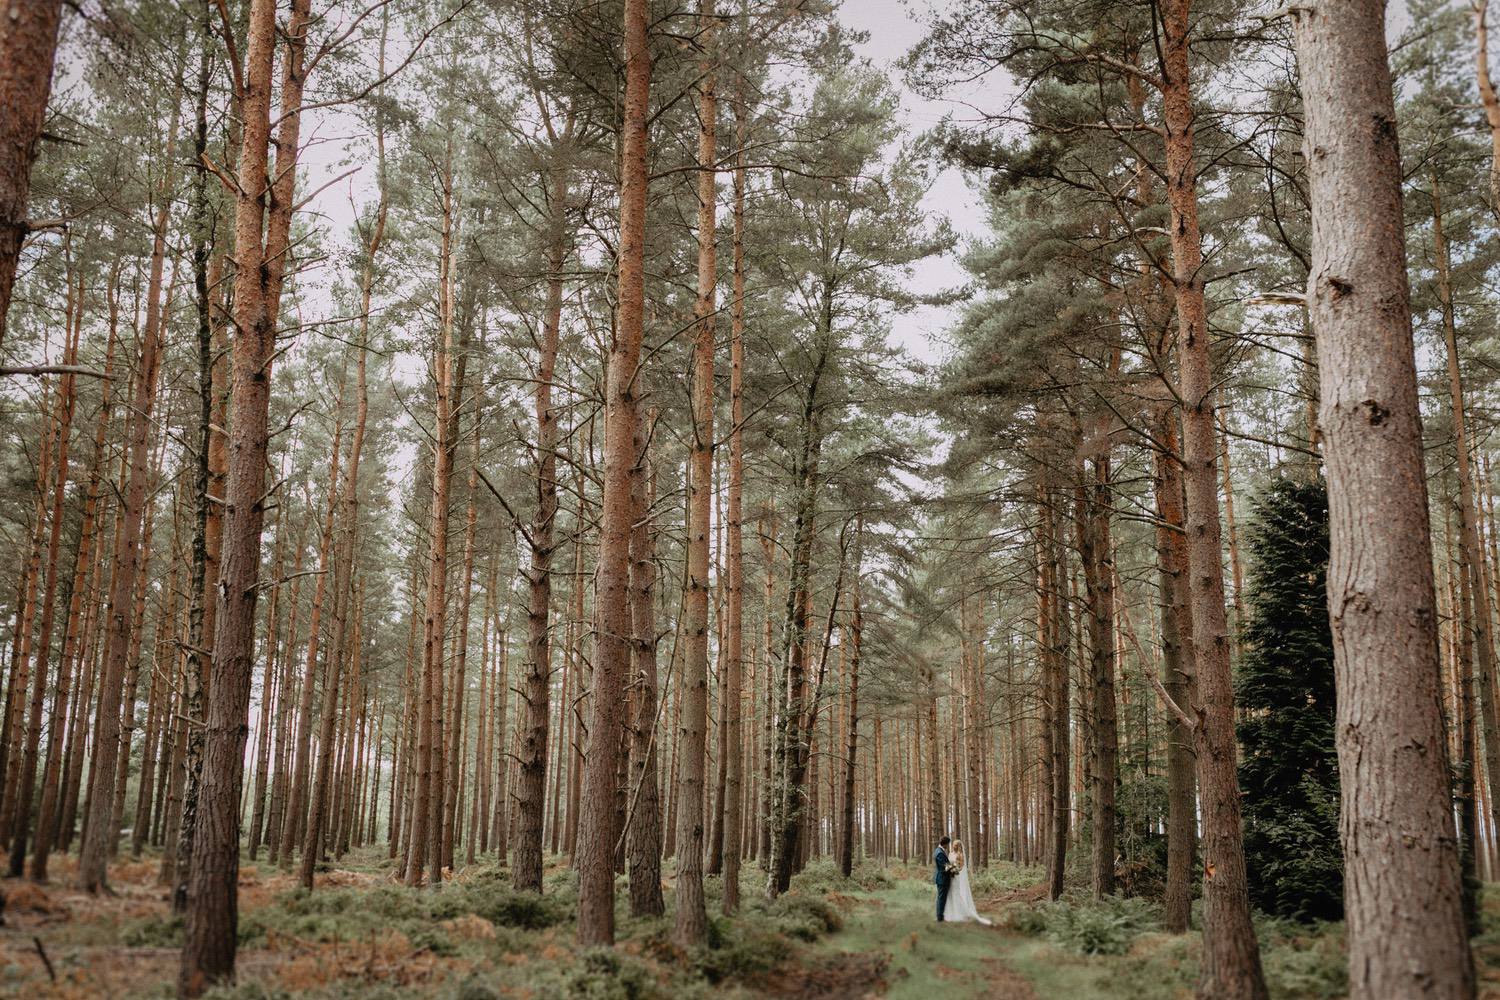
209,942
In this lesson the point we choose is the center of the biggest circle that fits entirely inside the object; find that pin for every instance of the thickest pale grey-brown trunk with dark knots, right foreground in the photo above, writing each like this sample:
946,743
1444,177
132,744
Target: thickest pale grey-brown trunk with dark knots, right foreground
1403,890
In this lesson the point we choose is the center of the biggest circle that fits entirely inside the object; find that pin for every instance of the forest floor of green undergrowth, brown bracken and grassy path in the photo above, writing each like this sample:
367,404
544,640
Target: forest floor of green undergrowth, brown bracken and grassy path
362,936
